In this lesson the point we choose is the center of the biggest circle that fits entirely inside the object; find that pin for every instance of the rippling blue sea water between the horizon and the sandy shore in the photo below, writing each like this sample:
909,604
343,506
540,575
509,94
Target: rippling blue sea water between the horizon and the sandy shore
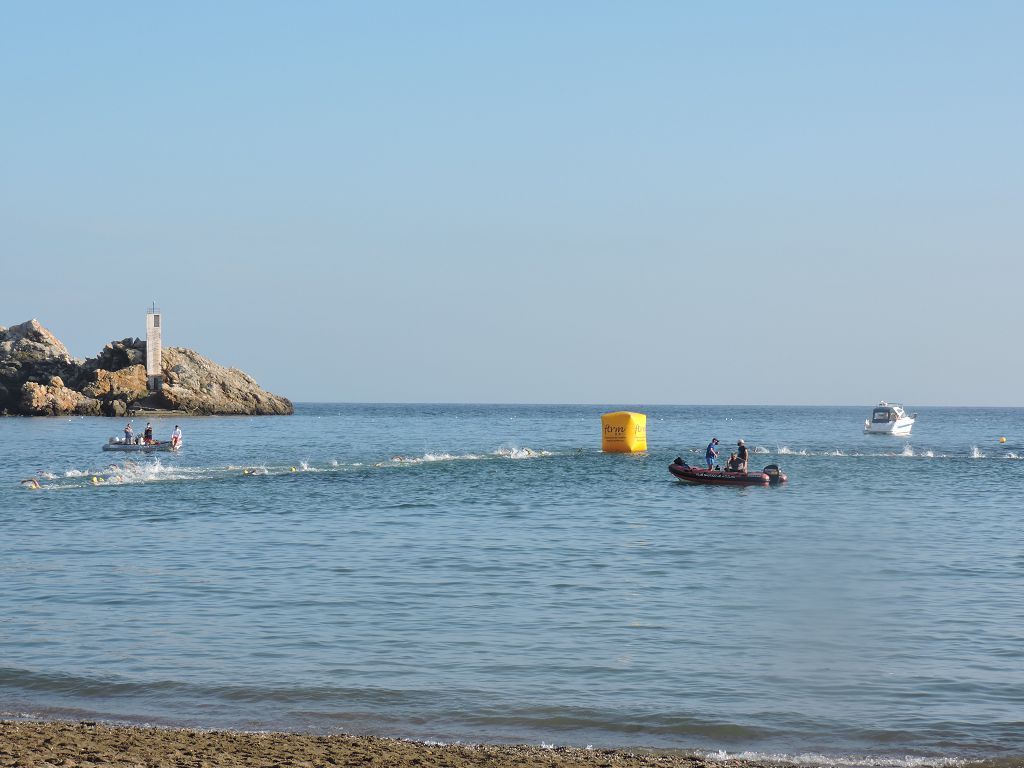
486,574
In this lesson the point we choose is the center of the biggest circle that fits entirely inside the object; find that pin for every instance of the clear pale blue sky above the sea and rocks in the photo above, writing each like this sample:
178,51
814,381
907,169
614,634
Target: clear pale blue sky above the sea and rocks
577,202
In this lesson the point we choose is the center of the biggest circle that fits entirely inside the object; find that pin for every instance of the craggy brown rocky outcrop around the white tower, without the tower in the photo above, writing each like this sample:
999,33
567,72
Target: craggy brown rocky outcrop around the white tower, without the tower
38,377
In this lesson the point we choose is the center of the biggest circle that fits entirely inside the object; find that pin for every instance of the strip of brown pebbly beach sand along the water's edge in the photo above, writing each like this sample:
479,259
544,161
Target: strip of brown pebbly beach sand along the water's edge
38,745
